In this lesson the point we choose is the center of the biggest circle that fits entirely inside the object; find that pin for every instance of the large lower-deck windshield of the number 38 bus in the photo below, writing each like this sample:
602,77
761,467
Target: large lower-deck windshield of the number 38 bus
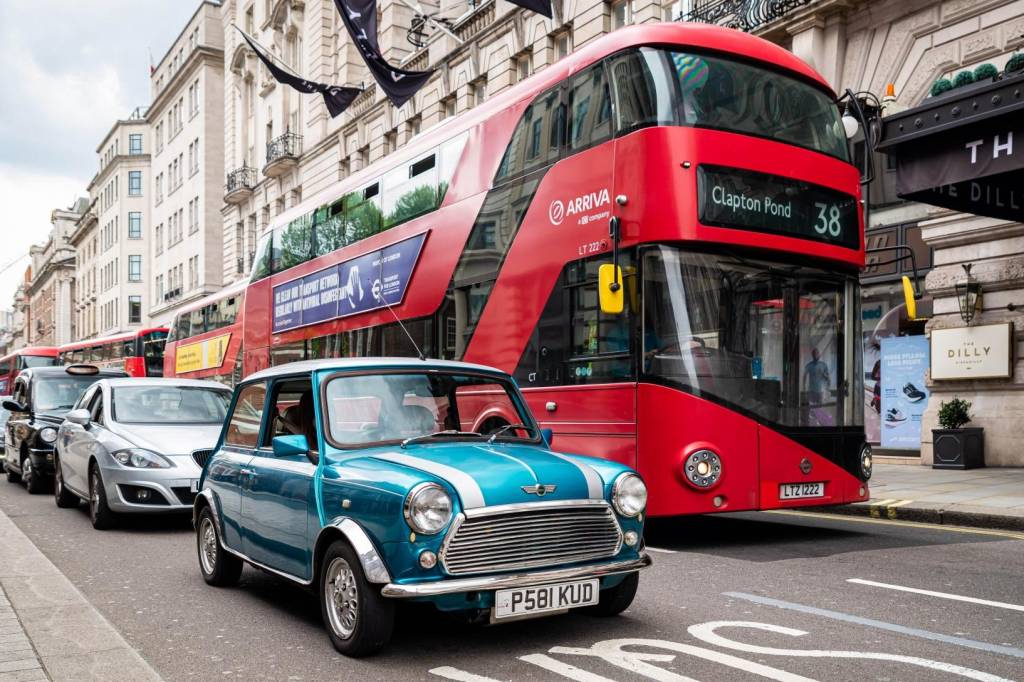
765,338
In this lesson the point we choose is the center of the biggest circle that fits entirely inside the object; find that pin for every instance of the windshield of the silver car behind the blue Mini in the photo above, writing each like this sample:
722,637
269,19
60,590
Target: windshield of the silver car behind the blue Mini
169,405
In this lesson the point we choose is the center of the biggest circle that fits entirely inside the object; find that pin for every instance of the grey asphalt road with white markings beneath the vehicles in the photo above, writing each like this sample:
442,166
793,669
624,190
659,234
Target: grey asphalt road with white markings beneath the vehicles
740,598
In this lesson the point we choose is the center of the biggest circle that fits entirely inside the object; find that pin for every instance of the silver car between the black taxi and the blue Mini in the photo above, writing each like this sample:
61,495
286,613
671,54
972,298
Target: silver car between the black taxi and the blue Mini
126,447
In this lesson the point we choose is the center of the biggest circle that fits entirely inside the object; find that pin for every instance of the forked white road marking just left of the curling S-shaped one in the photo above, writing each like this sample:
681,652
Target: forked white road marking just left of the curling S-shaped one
637,662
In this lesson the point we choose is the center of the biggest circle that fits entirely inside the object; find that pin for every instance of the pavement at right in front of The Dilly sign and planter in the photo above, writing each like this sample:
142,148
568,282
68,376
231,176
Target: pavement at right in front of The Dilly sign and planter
989,498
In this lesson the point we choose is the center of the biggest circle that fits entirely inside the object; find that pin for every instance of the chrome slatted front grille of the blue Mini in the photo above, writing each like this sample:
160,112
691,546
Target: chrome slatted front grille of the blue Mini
539,535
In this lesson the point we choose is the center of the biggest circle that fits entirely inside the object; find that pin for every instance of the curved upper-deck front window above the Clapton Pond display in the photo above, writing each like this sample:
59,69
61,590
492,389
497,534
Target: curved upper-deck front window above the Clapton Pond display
664,88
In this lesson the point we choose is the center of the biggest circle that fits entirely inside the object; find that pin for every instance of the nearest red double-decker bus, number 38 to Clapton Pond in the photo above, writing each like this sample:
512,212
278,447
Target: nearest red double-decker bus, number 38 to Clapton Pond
711,169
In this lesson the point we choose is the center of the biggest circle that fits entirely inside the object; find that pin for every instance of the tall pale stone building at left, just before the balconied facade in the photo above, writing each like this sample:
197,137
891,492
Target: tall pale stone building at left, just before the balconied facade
188,127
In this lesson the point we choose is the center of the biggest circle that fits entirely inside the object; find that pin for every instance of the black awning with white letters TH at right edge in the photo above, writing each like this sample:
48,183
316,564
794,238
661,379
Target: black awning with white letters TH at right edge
963,150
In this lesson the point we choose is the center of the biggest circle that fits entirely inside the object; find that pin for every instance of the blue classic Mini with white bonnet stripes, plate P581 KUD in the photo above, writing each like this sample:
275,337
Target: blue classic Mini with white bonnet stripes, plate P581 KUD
370,481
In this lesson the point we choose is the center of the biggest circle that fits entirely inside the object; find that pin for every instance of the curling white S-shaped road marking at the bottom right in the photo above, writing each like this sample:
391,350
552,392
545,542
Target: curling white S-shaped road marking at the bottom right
707,633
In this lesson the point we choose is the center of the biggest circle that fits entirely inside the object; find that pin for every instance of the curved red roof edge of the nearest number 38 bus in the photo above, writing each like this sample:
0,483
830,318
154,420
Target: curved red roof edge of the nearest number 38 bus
682,35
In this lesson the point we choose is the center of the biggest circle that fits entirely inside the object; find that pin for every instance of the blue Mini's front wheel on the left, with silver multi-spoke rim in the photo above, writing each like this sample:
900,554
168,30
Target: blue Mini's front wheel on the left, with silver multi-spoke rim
359,620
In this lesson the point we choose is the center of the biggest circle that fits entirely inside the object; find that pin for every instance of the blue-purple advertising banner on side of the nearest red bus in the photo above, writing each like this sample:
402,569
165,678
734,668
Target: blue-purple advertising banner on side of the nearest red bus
363,284
